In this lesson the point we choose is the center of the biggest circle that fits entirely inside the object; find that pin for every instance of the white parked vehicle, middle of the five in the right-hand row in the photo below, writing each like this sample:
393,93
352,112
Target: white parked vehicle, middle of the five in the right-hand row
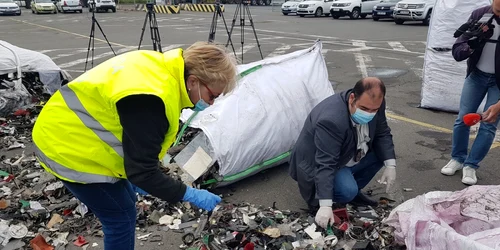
352,8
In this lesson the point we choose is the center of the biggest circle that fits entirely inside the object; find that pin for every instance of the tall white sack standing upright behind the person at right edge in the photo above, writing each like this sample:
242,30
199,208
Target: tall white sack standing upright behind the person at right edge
443,77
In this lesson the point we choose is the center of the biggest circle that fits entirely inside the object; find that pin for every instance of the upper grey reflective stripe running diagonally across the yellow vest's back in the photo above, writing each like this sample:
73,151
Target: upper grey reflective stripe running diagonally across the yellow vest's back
90,122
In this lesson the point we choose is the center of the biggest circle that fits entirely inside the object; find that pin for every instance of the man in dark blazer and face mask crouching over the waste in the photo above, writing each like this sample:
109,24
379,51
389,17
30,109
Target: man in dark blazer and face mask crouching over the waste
344,143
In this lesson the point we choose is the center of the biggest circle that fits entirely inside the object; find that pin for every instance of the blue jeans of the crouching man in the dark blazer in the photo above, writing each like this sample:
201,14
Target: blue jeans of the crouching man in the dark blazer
349,180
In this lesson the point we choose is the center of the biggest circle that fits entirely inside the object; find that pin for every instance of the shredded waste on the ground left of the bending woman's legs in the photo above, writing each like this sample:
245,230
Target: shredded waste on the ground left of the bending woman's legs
32,201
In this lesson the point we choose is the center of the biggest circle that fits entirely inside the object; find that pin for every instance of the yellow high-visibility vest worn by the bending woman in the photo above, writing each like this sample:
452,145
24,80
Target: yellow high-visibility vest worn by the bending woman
78,134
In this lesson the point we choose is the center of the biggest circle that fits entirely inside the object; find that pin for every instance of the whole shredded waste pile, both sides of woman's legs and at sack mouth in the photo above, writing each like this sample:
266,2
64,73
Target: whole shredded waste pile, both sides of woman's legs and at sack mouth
37,211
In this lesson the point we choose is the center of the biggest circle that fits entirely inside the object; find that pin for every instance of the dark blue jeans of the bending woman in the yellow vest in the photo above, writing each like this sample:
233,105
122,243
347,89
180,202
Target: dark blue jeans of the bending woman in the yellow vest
114,205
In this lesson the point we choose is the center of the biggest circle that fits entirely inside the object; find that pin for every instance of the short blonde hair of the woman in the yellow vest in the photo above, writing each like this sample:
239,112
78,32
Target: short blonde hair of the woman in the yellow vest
212,64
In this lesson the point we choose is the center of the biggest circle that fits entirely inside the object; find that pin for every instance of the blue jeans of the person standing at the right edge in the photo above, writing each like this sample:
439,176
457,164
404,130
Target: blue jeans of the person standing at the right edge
476,87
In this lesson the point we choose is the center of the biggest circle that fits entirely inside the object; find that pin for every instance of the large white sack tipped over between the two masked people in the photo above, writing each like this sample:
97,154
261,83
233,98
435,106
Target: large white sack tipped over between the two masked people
263,116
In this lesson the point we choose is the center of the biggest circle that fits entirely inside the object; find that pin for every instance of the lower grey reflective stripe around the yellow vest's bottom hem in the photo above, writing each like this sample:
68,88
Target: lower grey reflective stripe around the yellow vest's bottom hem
70,173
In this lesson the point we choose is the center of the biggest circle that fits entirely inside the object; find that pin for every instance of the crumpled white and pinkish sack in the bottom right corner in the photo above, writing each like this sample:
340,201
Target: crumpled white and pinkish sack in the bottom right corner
467,219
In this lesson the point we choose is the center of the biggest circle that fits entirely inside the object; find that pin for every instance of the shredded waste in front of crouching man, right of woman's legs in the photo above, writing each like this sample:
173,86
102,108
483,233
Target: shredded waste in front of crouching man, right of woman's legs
247,226
